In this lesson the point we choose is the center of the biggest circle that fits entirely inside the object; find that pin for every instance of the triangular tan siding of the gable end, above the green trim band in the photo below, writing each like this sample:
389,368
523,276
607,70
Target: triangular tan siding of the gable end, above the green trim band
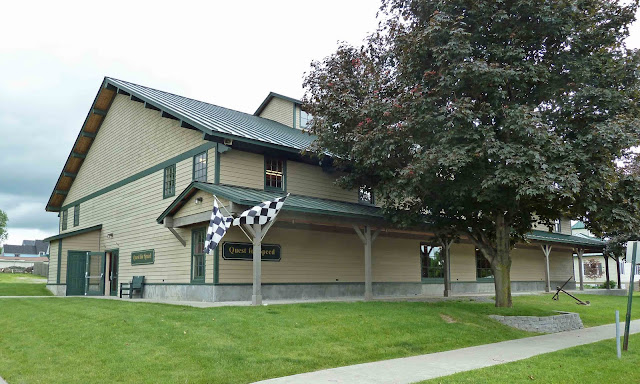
131,139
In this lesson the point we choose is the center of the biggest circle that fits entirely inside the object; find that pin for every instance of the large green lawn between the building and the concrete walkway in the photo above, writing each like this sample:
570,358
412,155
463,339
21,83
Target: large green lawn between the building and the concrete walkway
79,340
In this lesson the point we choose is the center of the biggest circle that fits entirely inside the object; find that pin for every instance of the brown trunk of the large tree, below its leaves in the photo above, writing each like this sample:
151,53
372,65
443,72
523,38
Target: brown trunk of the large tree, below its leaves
501,263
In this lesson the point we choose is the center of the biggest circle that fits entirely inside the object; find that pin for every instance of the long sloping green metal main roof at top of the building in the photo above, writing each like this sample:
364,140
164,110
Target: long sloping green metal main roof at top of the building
219,121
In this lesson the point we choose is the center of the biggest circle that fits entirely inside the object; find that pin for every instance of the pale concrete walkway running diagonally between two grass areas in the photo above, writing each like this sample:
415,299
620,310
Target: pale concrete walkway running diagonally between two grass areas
423,367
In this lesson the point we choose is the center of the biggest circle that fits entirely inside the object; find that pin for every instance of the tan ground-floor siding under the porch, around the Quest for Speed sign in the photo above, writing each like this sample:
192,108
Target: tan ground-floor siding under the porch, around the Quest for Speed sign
325,257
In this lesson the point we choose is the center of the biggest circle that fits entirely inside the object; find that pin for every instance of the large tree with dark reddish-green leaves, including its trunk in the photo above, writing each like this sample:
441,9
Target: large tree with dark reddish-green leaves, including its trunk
484,117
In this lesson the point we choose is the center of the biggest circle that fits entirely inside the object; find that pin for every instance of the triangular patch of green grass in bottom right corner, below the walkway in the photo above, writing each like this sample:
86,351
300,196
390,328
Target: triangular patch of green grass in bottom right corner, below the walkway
592,363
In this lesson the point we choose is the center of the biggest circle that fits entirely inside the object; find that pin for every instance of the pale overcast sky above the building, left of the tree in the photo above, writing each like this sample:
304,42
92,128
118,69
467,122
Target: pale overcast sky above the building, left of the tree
54,55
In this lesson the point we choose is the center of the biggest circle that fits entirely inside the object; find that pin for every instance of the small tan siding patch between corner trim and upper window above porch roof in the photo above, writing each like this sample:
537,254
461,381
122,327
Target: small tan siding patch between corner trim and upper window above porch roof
241,168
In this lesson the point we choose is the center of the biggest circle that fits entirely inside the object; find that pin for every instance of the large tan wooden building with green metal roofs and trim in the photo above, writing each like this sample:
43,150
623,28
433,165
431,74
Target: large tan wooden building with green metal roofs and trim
135,195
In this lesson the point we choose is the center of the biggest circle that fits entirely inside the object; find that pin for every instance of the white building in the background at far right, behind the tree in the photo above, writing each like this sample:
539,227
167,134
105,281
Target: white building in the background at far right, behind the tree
594,264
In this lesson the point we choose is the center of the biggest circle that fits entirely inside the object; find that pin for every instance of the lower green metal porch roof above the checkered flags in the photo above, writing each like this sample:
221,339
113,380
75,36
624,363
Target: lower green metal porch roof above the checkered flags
295,203
